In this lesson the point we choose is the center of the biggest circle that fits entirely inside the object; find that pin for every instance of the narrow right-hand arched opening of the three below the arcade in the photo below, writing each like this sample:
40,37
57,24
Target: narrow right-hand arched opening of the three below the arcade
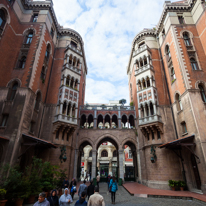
130,161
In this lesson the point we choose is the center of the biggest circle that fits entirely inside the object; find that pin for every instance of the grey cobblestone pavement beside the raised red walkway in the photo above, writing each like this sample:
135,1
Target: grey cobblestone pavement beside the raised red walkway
124,198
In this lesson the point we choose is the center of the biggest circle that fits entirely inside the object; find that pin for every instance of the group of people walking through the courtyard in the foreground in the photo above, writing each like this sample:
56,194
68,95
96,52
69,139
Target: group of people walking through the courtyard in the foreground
92,192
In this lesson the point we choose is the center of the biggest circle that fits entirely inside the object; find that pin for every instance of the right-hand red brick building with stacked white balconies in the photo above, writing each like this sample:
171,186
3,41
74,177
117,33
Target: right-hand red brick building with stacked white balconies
167,85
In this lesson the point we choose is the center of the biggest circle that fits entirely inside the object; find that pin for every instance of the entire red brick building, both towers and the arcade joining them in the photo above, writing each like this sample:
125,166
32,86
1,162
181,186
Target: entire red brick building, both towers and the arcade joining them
42,86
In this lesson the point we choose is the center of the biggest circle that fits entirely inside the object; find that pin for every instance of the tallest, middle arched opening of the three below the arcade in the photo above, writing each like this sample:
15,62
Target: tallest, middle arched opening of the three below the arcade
107,158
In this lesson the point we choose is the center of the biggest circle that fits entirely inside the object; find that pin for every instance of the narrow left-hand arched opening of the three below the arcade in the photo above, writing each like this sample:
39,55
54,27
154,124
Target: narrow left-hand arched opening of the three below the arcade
84,162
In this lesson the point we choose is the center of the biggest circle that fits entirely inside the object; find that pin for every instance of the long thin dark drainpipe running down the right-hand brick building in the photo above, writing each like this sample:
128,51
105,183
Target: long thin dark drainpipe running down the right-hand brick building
173,118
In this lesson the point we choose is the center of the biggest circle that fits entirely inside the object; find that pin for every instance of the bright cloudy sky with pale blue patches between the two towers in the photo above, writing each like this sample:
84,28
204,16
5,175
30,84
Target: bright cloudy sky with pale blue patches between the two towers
108,28
